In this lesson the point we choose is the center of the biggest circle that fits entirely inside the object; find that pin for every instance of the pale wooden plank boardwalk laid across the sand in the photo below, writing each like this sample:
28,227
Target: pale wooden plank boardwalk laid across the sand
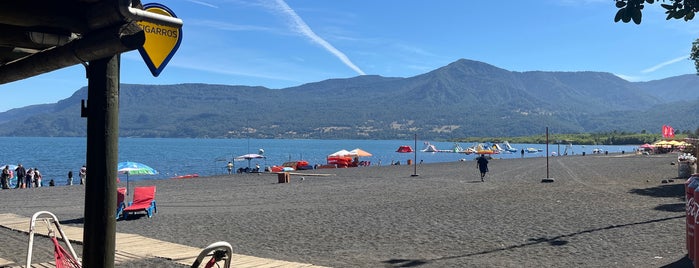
131,247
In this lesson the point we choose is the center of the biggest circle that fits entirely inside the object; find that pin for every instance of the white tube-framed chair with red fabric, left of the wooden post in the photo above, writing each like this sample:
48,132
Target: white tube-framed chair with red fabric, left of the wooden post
62,257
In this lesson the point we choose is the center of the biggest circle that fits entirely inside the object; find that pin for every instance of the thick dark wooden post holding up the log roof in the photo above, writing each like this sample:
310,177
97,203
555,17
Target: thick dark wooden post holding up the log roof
102,154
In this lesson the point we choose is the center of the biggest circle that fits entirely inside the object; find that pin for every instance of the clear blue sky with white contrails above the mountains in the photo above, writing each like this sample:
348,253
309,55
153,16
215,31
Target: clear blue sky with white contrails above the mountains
284,43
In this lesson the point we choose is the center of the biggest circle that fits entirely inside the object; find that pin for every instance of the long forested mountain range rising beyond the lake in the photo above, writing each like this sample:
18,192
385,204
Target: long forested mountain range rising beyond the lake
464,98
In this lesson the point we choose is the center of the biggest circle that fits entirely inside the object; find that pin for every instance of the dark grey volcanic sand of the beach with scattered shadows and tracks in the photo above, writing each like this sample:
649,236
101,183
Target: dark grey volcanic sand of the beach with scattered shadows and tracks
601,211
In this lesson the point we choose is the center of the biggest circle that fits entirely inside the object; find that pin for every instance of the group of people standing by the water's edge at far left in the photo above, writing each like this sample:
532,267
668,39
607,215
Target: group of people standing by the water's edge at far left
32,177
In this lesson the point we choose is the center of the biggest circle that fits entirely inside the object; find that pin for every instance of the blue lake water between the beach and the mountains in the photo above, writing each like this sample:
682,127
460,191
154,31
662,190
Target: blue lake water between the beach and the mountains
172,157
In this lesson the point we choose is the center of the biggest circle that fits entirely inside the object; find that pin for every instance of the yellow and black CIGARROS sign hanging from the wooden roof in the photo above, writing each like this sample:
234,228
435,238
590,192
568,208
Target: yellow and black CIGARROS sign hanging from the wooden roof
161,41
